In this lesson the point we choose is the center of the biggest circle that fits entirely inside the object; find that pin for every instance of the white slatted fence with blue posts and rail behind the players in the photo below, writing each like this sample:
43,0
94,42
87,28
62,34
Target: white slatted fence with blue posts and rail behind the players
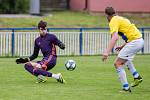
79,41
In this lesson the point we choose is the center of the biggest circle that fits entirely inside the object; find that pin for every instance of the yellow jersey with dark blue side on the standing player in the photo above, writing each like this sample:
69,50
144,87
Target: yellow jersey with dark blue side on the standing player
124,28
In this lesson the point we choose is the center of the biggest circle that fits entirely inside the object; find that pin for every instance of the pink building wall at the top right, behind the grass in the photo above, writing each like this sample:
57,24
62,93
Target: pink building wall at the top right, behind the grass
120,5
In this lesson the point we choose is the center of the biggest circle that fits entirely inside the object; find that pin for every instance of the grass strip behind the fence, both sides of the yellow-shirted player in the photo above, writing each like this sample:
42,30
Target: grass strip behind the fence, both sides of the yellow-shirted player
68,19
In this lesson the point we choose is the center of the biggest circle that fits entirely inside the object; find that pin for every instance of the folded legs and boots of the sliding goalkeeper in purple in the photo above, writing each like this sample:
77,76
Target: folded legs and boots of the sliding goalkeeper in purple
37,69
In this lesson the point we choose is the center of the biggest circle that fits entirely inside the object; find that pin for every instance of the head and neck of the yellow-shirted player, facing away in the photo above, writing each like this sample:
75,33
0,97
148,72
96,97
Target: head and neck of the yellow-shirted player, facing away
110,11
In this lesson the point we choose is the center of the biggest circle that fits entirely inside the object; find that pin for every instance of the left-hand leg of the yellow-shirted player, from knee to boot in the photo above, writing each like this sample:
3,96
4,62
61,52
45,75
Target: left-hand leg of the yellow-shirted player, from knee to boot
121,73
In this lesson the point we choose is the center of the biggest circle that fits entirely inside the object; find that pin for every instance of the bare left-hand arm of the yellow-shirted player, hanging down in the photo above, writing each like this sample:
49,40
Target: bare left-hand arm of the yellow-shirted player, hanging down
111,44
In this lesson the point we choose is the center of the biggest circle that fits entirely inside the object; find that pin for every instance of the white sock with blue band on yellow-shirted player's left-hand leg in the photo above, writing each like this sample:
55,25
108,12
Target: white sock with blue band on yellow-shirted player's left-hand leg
122,76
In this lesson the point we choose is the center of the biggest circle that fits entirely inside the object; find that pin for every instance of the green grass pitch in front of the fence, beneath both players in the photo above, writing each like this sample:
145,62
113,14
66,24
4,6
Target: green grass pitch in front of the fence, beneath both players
91,80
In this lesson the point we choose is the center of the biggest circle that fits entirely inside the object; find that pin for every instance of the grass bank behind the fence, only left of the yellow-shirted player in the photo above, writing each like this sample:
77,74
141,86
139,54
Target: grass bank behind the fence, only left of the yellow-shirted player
57,19
